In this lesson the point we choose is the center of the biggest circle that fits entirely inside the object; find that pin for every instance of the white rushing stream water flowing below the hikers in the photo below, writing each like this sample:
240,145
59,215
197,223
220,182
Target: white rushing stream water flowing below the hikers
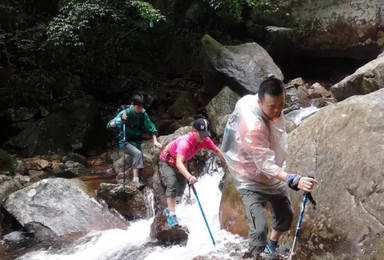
135,242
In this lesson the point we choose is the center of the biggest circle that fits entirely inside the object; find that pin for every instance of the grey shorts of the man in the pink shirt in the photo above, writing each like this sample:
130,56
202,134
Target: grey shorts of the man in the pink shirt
173,180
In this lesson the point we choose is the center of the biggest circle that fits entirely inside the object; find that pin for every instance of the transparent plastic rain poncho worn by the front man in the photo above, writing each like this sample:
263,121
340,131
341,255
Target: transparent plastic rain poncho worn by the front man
254,147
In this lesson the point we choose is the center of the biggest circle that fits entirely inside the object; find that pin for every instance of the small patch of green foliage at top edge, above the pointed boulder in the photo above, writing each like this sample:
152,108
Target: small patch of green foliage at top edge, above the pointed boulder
232,10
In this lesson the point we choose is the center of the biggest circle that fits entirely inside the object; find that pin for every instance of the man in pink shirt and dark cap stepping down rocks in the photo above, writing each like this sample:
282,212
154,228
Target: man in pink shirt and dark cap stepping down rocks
173,171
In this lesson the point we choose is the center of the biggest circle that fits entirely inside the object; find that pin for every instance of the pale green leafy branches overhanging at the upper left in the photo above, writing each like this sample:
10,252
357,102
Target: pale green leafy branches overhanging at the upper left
78,20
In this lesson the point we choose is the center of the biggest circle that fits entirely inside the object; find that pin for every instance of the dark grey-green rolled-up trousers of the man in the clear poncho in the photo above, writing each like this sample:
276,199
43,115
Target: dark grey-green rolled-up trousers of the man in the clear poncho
281,210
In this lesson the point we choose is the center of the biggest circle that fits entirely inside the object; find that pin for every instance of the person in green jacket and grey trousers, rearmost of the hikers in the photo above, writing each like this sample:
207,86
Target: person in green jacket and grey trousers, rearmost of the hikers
129,124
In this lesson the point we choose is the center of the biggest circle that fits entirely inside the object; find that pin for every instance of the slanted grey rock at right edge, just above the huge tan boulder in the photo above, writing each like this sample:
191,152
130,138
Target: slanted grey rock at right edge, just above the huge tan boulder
366,79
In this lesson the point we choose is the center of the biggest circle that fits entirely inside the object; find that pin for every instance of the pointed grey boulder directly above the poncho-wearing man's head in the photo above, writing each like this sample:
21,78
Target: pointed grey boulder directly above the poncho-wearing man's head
242,67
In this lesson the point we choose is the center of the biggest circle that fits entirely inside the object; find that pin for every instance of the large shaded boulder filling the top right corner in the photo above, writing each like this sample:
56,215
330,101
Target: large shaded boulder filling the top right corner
350,28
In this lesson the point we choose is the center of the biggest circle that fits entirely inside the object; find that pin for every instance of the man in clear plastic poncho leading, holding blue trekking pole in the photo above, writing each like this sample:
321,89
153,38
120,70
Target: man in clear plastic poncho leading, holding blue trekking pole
254,146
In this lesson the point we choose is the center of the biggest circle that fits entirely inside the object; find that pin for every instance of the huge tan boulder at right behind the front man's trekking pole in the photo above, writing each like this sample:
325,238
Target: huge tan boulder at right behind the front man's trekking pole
342,146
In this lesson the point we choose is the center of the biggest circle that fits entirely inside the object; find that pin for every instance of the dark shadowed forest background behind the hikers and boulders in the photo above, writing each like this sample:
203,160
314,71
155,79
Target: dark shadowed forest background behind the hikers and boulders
55,51
